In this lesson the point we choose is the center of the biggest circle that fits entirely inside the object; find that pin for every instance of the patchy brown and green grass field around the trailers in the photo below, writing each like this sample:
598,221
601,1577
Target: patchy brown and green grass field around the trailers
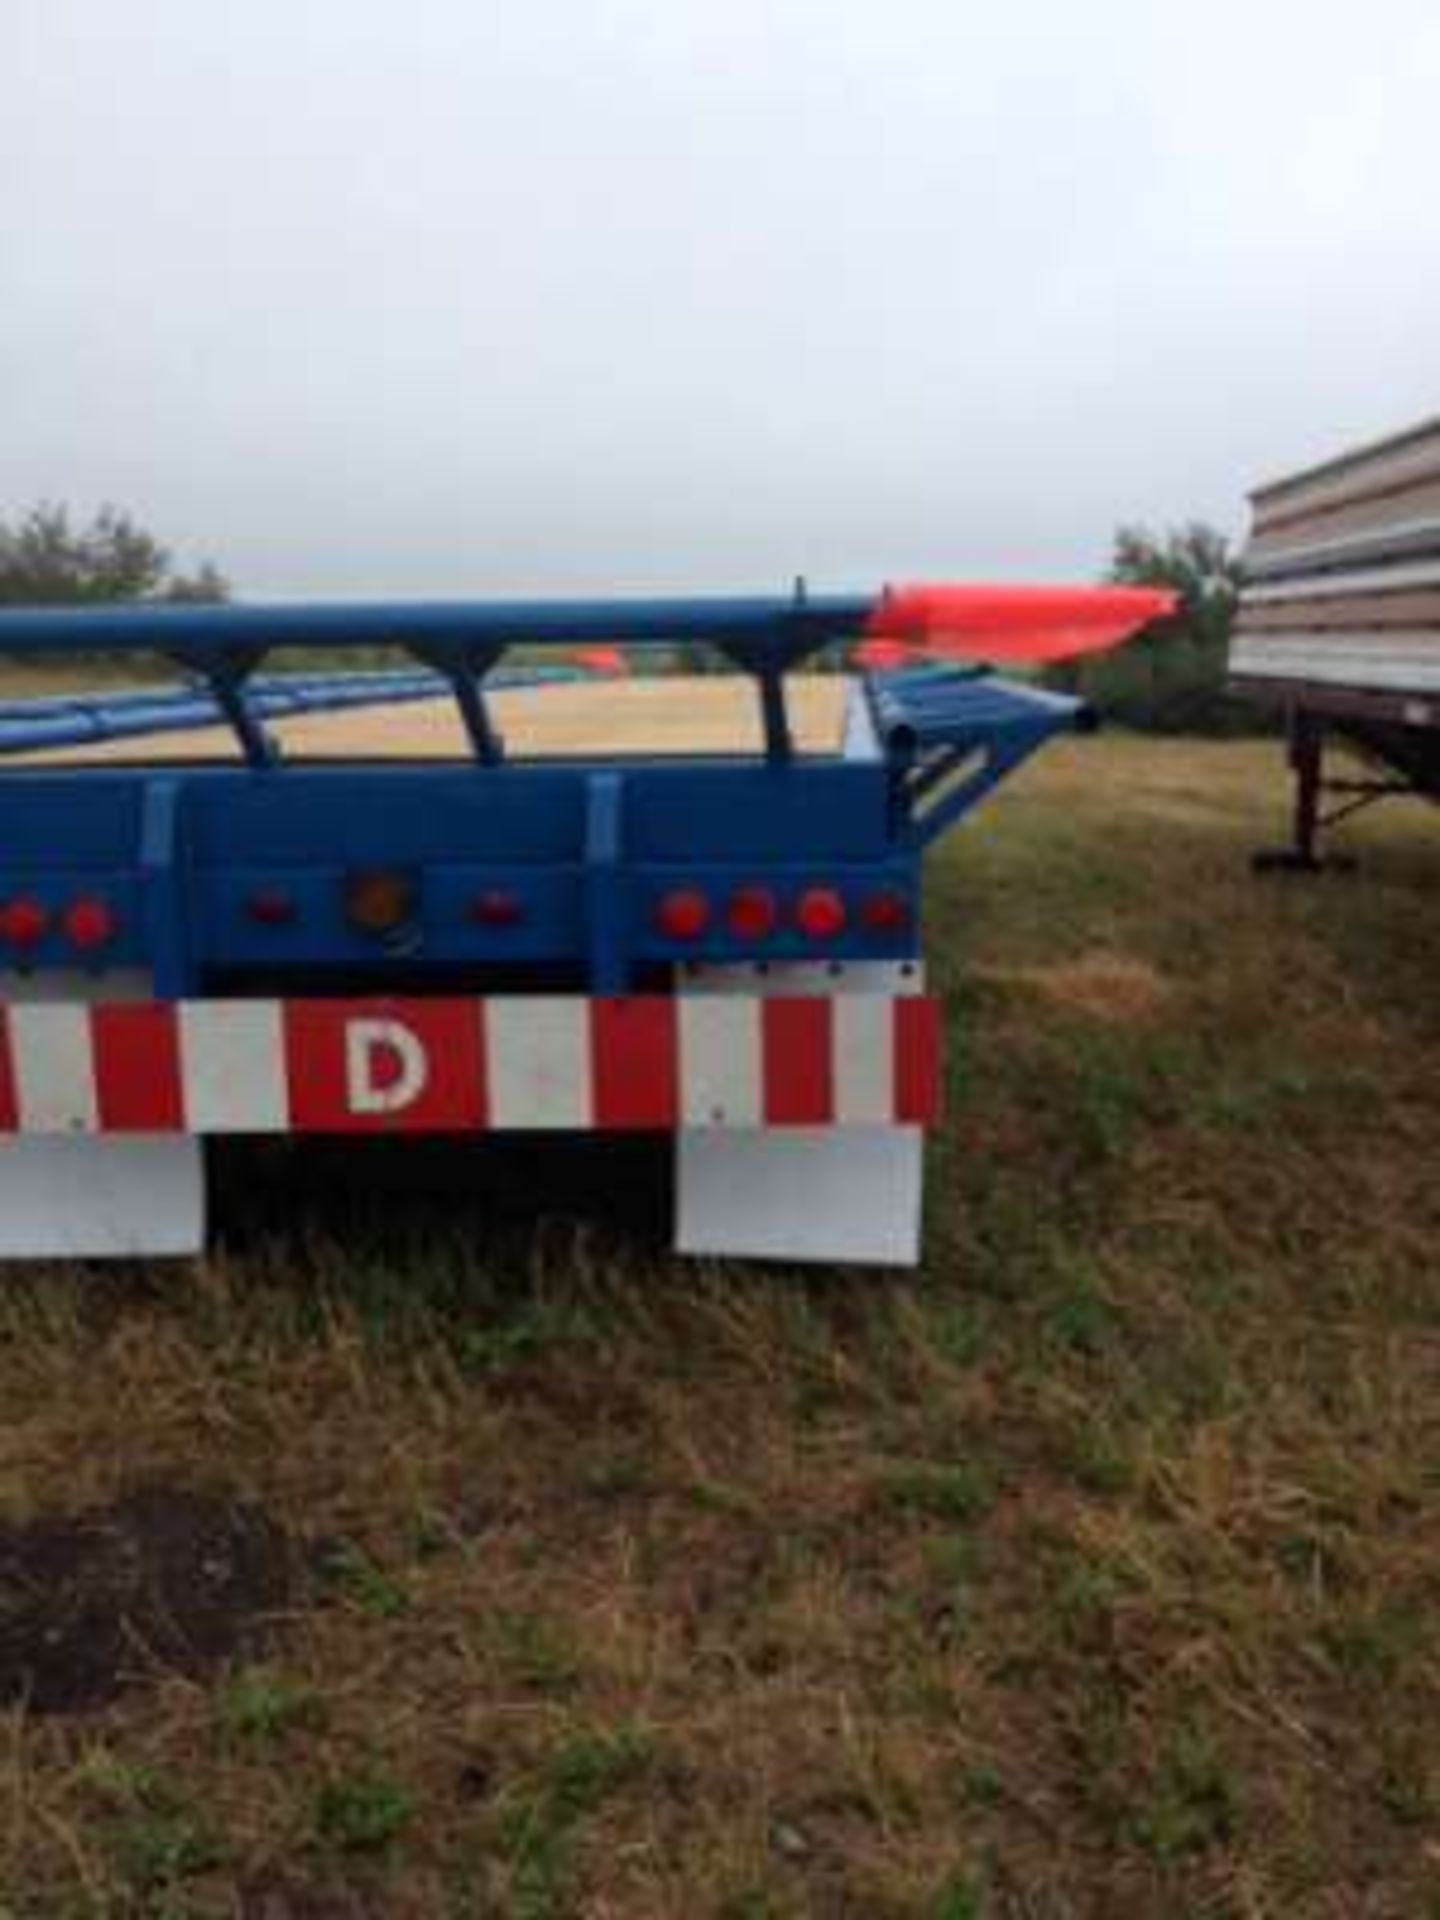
456,1552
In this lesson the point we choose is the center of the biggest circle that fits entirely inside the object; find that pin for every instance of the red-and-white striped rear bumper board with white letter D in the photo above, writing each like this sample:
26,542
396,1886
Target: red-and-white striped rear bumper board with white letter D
469,1065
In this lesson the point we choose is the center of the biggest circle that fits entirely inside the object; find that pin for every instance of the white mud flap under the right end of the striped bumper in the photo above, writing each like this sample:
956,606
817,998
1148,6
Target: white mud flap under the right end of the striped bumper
802,1193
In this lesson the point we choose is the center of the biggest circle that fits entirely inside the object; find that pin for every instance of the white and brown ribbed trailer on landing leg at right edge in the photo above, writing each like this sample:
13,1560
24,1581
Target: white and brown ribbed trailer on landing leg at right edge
1341,627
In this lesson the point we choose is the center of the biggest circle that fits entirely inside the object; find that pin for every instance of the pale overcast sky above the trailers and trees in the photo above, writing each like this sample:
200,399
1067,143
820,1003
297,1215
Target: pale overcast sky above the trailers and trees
362,297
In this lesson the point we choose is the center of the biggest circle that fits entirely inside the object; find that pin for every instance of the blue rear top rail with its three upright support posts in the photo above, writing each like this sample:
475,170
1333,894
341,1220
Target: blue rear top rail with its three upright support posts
460,640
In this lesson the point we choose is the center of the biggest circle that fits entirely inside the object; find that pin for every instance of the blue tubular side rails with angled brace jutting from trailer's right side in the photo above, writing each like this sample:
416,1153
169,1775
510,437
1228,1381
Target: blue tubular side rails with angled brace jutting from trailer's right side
951,734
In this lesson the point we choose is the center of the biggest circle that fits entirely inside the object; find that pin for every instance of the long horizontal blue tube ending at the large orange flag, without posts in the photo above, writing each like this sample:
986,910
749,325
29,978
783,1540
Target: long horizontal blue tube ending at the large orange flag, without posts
757,627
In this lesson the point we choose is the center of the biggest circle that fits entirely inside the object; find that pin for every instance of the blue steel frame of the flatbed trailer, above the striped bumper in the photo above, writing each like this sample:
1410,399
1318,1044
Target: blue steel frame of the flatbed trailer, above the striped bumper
583,850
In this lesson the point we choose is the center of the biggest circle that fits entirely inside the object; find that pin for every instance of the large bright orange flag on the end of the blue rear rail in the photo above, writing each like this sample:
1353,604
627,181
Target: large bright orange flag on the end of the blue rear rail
1015,623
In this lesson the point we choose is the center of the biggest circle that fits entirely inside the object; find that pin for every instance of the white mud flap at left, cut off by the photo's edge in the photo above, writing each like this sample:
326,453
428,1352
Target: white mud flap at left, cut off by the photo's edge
99,1199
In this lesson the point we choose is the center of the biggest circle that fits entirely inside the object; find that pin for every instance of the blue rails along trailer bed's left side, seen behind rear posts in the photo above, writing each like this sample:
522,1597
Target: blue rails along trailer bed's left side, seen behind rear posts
76,719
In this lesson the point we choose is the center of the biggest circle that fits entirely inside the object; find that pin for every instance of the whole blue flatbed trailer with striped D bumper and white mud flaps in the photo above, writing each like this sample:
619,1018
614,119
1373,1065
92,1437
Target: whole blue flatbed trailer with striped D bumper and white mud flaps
719,946
